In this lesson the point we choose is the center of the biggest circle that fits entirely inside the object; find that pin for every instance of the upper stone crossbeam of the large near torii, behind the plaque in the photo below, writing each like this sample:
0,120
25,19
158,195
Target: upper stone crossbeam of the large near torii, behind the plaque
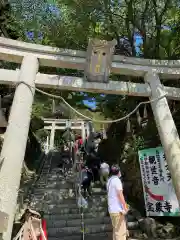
14,51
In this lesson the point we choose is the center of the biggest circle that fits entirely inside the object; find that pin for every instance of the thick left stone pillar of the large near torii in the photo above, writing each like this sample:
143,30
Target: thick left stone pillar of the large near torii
15,140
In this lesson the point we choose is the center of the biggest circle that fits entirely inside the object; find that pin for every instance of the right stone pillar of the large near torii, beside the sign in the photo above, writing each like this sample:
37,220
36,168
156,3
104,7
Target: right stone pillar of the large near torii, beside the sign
167,129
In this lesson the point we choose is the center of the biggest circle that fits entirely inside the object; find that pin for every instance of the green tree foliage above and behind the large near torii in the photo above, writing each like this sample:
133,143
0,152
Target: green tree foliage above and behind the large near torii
157,22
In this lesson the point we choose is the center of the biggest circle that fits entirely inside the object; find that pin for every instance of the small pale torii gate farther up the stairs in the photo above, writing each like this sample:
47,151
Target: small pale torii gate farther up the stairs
54,124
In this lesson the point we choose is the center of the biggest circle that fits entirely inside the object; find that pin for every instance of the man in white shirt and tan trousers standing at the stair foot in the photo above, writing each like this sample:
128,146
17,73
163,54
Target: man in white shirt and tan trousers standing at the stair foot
117,206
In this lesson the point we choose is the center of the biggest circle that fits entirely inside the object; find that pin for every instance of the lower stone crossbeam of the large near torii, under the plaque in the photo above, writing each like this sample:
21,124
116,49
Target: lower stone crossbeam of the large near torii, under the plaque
78,84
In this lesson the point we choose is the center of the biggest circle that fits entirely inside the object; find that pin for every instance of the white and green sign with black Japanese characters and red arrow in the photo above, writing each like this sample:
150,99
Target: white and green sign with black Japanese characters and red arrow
159,195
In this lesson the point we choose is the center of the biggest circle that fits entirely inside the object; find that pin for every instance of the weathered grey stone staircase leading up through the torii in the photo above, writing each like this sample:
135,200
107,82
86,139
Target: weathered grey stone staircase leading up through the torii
55,196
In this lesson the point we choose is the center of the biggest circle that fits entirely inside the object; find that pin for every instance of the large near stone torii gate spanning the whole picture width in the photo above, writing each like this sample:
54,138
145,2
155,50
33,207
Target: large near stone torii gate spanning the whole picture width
31,56
